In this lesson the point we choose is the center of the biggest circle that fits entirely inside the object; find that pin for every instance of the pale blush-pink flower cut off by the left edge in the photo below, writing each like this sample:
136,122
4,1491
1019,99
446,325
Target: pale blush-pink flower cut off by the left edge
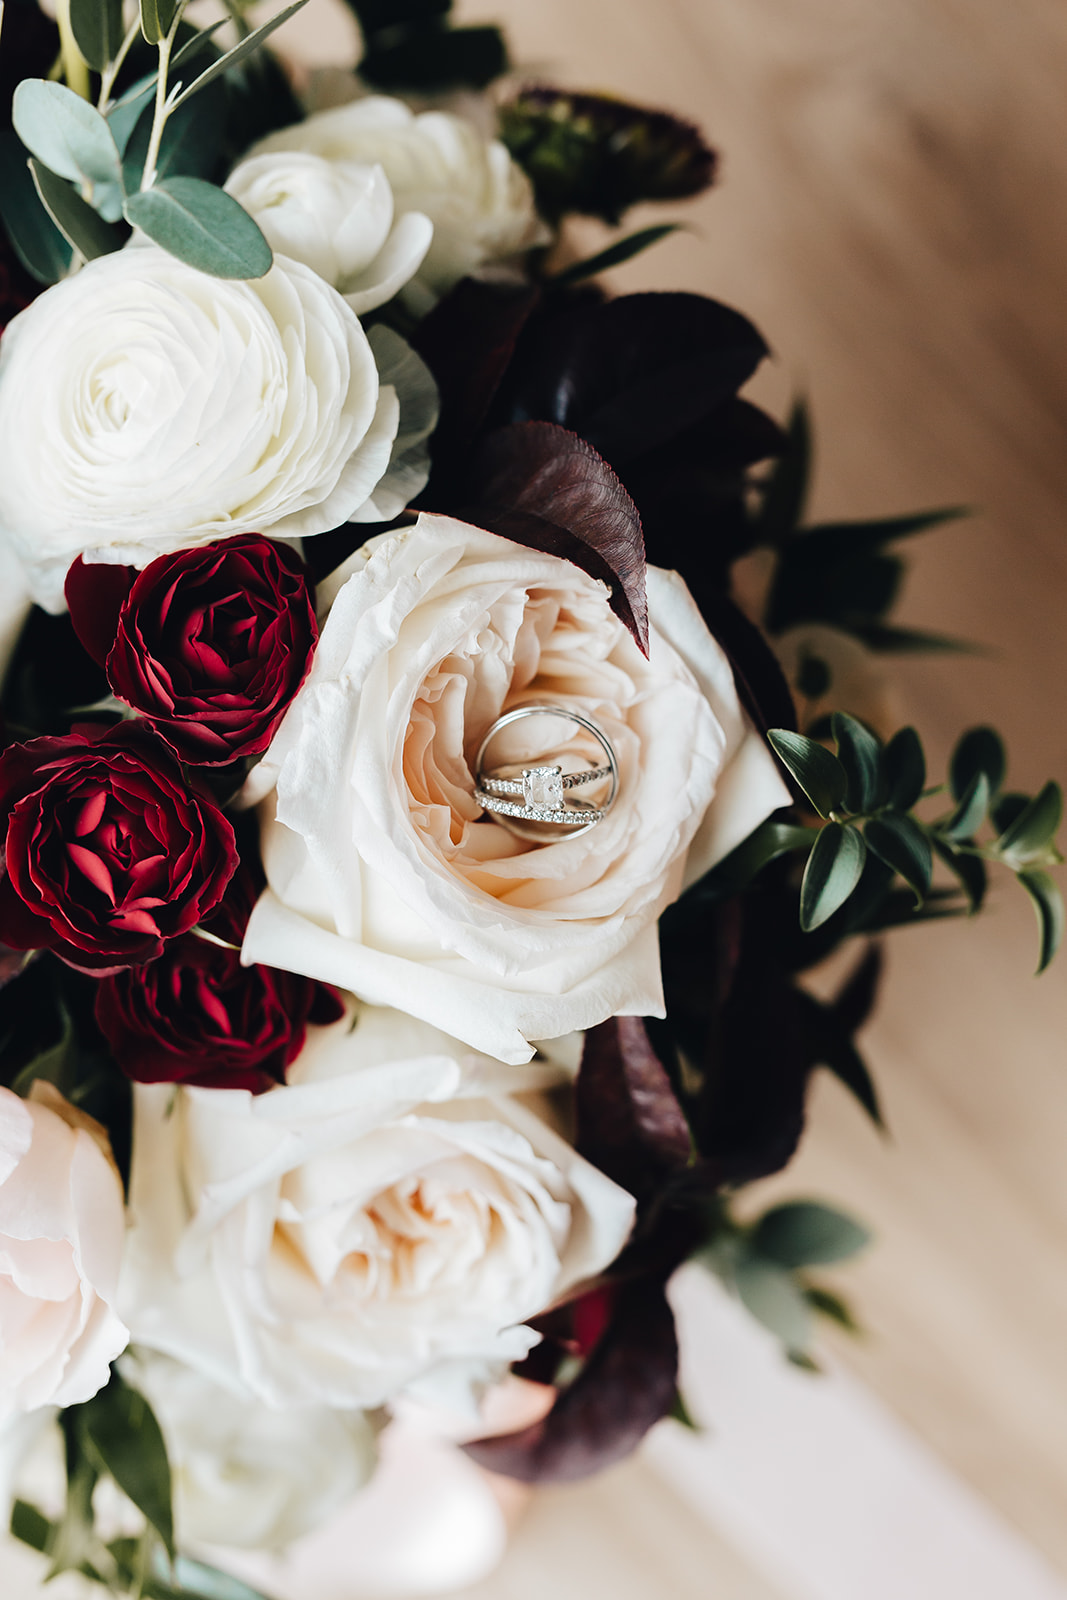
62,1238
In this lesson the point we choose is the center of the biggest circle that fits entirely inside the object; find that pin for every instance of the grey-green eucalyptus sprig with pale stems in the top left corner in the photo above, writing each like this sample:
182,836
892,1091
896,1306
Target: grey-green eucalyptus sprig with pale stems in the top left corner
74,174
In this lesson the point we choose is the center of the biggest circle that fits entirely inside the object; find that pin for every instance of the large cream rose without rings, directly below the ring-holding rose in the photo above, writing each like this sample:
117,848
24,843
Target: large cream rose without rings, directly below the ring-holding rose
388,1220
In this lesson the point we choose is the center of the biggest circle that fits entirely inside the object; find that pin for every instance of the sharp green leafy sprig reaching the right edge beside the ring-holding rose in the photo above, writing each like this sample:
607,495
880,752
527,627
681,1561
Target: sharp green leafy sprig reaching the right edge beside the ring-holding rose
868,794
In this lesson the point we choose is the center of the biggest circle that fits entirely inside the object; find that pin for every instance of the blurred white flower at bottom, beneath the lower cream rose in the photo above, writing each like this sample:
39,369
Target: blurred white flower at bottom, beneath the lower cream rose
249,1474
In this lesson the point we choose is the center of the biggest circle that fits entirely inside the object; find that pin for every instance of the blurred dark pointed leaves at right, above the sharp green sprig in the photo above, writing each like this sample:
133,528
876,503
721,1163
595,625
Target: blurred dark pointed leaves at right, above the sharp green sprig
837,574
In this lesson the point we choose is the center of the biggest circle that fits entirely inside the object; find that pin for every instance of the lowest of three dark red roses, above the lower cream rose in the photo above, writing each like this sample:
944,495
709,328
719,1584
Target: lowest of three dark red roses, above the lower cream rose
199,1017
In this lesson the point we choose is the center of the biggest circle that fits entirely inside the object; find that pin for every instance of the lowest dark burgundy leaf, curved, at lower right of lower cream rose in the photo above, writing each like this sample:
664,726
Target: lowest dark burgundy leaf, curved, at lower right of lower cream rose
626,1386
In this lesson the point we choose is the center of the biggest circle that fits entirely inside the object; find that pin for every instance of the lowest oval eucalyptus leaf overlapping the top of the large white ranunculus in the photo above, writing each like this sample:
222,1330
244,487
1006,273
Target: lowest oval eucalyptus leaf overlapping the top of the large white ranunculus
202,226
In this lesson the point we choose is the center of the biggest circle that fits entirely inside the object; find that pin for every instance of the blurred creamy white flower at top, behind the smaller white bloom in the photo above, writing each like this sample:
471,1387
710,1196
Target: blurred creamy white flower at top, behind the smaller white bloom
478,198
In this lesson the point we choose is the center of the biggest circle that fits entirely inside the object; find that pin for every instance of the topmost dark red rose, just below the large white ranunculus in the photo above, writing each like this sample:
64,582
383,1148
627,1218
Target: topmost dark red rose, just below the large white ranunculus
210,646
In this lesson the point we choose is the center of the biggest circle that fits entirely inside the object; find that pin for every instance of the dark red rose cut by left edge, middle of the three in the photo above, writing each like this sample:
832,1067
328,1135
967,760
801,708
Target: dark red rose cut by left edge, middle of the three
108,854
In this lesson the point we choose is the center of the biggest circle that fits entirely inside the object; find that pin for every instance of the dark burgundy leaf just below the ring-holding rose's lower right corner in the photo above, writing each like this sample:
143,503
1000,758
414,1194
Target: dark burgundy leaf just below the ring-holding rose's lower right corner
629,1122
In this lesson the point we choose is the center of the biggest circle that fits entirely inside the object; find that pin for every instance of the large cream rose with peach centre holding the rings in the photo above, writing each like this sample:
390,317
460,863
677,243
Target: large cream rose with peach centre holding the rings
386,878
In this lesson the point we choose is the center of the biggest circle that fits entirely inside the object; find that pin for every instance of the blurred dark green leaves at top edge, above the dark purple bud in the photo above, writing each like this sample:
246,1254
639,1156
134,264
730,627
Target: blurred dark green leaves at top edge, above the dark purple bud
412,46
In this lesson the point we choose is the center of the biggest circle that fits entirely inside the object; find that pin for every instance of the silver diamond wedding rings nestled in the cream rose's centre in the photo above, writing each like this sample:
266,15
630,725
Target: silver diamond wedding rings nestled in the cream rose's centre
537,793
